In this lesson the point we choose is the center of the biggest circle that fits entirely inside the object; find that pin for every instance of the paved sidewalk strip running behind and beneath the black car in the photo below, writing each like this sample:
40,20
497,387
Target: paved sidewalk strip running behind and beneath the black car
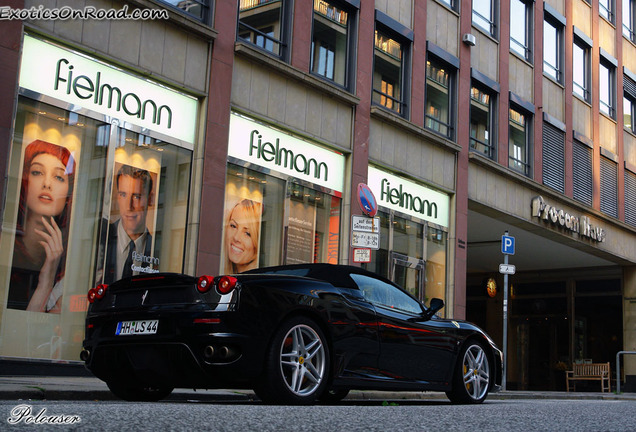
90,388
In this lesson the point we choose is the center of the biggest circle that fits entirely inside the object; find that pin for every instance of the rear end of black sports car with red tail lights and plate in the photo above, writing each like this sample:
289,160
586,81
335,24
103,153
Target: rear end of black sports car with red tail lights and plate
169,329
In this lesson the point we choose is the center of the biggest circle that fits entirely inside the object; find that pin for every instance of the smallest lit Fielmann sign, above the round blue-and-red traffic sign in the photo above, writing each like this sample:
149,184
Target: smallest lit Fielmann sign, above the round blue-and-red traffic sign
408,197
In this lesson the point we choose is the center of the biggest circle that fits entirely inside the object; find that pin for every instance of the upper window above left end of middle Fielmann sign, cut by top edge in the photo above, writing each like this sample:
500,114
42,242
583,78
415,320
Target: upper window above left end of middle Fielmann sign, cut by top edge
264,24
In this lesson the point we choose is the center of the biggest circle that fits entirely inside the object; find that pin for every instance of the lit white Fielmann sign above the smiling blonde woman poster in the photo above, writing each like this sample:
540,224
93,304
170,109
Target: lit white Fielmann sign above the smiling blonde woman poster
272,148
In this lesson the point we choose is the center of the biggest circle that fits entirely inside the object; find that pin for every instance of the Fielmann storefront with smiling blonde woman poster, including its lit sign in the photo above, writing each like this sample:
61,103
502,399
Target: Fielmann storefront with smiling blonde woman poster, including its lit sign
282,199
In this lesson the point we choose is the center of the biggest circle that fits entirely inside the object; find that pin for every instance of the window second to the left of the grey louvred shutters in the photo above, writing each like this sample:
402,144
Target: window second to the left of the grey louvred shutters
482,122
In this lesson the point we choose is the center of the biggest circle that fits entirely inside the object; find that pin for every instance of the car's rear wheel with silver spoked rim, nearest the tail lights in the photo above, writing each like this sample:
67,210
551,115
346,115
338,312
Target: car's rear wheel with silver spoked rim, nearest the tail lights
297,364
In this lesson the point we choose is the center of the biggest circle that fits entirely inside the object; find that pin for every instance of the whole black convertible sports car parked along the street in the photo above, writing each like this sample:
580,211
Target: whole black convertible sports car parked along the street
294,334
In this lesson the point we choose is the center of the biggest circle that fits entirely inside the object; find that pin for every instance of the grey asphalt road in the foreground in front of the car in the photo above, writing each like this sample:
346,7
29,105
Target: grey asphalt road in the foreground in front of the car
434,415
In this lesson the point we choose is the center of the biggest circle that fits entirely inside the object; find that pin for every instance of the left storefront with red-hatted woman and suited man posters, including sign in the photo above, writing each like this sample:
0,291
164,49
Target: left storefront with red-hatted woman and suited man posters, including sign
90,199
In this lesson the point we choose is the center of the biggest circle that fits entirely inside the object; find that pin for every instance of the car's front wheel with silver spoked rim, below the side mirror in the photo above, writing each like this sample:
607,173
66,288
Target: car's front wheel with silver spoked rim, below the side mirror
472,378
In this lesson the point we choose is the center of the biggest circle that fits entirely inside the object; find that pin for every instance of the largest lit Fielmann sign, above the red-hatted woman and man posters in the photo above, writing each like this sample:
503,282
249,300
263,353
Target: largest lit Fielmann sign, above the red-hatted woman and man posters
85,82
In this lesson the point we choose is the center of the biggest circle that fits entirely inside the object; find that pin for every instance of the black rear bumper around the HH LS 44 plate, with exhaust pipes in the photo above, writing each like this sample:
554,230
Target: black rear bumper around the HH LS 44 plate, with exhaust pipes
183,354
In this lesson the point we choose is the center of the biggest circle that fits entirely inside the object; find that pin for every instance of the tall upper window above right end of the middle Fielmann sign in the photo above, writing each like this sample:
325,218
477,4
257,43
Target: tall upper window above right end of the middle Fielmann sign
331,45
